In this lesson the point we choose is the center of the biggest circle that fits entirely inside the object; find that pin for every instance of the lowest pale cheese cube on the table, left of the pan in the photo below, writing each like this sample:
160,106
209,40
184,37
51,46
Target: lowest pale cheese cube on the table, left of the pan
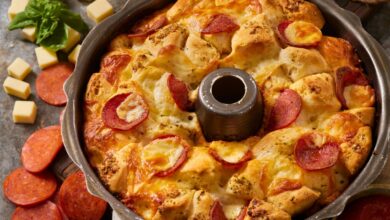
24,112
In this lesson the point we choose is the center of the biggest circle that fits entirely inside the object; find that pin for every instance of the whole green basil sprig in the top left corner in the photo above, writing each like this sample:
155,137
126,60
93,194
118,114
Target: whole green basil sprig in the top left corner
49,17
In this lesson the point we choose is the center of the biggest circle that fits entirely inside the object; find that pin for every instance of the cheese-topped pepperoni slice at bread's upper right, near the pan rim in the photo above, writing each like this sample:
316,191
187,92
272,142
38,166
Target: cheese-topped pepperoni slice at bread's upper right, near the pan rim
299,33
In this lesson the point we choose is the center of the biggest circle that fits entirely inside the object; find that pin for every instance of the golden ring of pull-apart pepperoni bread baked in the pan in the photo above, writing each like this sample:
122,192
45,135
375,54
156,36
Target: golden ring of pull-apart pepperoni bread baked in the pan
145,141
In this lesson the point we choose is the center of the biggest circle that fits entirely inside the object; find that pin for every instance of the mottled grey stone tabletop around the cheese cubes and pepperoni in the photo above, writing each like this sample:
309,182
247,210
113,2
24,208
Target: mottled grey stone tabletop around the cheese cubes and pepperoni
13,136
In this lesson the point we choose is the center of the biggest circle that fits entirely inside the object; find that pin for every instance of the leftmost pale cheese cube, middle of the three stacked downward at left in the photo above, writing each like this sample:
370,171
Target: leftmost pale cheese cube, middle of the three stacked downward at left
17,88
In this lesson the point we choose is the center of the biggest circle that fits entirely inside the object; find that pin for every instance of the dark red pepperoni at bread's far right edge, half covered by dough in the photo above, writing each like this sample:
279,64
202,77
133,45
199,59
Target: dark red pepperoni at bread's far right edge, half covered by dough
346,76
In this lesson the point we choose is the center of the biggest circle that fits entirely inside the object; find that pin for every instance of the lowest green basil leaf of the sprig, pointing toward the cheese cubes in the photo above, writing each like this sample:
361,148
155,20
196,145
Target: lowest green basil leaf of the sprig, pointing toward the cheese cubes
58,39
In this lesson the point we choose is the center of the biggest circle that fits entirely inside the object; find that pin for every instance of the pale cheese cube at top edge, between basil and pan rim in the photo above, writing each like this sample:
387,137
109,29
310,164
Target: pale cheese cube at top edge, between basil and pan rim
99,10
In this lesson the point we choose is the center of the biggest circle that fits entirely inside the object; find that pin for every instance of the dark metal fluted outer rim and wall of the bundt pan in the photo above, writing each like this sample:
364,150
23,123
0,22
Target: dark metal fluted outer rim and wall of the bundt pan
339,22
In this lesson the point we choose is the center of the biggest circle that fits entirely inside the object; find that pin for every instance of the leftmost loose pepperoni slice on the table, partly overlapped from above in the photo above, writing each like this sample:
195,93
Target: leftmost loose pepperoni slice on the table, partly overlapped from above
27,189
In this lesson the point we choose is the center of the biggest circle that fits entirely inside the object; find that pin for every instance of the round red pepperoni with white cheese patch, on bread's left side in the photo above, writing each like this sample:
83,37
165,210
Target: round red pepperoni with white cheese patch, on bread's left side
132,108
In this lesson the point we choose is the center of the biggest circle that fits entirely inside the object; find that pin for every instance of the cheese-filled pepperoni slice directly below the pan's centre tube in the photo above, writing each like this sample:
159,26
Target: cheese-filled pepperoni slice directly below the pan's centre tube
231,155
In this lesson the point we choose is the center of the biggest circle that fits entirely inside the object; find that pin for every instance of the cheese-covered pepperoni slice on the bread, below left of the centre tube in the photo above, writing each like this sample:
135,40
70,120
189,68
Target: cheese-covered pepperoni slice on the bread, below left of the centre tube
166,154
